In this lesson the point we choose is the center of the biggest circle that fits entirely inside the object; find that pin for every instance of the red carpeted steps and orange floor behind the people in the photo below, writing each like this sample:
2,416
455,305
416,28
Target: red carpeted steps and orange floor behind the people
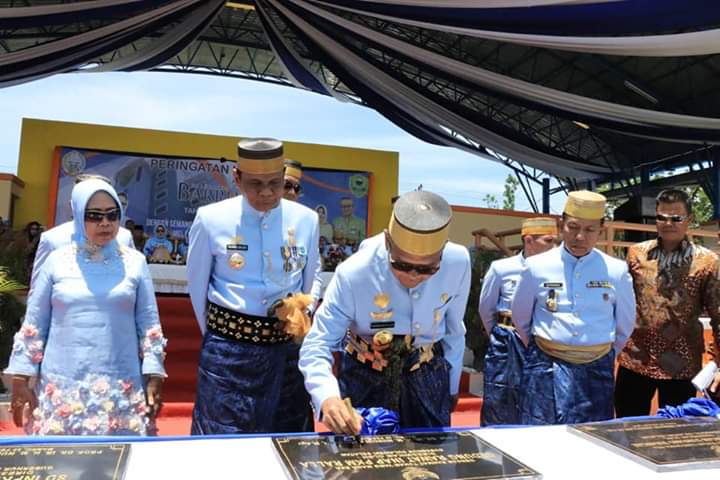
183,334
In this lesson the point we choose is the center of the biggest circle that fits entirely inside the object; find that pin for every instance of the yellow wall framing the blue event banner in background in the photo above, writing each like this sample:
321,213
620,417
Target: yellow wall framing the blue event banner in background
38,139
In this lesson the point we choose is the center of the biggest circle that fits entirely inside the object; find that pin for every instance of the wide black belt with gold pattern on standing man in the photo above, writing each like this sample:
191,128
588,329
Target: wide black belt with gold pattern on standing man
245,328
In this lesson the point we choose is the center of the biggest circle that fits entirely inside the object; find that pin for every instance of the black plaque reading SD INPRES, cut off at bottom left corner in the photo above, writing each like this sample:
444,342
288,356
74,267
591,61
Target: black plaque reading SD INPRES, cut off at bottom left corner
64,461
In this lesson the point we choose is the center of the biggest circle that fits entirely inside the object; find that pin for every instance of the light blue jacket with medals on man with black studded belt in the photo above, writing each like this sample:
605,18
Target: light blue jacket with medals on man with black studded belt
274,253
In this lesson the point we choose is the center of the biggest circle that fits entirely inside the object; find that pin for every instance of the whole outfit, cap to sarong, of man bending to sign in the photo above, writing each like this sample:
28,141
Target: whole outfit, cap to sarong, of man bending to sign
420,370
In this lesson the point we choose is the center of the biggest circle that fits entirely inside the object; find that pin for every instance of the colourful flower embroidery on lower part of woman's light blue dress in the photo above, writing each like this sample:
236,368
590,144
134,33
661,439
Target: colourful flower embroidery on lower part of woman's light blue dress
94,405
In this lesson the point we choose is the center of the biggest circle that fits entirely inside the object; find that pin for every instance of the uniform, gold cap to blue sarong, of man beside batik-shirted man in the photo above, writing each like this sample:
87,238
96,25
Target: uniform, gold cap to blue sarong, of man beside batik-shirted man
575,315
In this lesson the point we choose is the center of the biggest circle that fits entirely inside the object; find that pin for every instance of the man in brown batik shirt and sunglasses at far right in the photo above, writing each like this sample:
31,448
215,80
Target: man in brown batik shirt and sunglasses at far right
675,281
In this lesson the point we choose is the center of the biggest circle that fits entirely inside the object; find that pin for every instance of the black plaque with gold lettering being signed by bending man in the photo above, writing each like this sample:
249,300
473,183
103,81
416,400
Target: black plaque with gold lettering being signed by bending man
451,455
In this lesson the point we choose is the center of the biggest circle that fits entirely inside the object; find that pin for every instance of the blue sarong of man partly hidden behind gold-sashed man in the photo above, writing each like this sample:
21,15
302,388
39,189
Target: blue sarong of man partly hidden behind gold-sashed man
503,378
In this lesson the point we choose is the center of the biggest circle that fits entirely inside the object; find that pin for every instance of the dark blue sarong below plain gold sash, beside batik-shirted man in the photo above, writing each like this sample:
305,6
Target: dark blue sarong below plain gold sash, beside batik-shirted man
559,392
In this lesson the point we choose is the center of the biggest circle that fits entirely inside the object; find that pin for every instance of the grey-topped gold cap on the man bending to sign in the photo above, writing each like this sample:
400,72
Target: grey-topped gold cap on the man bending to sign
420,223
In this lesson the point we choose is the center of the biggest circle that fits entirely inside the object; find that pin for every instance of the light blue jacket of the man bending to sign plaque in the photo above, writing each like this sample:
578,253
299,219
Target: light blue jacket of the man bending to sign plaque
431,312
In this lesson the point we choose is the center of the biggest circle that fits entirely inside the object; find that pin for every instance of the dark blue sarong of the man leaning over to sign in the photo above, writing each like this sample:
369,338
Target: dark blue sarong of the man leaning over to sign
424,393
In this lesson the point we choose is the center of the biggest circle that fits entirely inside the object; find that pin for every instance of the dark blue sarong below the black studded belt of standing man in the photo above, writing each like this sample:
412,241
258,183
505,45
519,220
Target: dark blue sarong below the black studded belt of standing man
246,387
